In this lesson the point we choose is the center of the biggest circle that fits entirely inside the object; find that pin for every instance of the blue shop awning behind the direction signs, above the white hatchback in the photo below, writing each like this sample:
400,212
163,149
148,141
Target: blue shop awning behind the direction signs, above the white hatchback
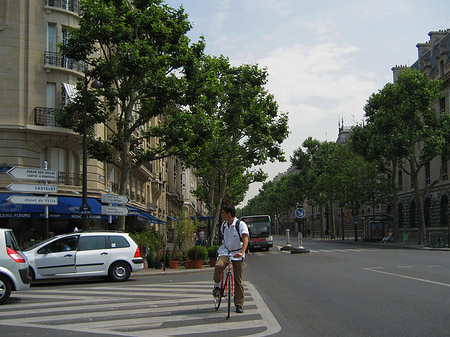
67,208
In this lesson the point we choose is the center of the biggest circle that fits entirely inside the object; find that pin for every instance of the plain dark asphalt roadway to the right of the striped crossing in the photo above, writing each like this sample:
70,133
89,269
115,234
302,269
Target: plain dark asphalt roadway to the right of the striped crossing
341,289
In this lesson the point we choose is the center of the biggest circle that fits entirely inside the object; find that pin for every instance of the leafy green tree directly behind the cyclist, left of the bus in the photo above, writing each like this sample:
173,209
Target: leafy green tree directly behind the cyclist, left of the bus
247,128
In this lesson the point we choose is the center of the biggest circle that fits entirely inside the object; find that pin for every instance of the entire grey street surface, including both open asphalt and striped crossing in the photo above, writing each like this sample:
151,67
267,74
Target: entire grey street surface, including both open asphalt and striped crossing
338,289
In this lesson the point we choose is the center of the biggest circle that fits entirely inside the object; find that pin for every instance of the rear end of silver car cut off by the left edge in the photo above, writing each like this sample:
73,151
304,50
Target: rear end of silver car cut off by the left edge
14,273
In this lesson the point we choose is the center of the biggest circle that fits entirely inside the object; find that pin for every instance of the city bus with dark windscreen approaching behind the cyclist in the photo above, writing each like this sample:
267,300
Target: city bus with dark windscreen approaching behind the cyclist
260,228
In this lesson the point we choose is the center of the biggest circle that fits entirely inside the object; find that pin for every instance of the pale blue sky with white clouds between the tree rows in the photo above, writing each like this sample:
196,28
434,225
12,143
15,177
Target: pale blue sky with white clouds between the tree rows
324,58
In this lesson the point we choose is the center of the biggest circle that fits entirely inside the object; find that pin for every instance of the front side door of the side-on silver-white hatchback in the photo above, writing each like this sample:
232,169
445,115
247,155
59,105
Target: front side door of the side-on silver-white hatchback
57,257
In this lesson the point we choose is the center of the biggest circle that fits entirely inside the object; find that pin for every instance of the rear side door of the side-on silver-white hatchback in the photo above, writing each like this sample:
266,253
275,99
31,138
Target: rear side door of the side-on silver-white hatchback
92,255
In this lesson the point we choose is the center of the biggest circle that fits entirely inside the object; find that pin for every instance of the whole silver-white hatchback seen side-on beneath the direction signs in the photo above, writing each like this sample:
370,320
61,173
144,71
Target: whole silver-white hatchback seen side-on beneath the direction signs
85,254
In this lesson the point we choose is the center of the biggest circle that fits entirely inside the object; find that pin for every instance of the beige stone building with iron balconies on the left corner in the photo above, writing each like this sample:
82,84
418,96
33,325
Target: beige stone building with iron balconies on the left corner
37,80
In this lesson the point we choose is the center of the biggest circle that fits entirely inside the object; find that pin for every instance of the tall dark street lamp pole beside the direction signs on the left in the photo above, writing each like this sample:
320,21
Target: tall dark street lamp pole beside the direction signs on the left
85,209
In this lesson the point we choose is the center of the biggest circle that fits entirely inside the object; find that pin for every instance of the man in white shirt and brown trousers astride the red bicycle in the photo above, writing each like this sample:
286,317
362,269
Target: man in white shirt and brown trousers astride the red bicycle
235,237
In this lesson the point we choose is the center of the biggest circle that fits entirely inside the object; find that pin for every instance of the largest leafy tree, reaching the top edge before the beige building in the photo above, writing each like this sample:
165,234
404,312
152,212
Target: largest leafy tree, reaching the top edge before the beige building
139,51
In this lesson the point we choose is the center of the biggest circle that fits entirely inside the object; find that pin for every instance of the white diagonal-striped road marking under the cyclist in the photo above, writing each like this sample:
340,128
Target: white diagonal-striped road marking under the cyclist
143,310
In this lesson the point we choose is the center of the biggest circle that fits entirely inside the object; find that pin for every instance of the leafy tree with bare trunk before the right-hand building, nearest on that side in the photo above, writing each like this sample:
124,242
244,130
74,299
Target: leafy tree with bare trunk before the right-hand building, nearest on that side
405,129
